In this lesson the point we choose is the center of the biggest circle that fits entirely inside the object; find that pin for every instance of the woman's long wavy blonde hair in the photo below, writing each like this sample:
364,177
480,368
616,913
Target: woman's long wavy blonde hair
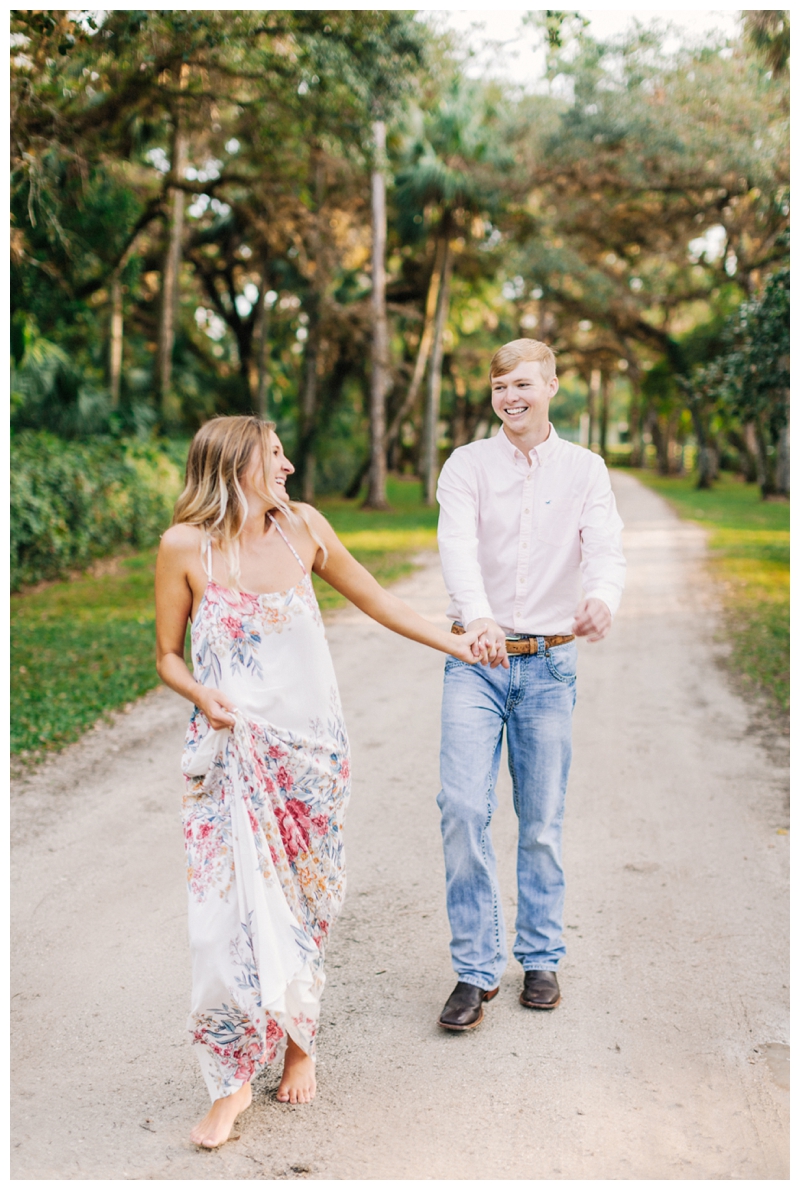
212,498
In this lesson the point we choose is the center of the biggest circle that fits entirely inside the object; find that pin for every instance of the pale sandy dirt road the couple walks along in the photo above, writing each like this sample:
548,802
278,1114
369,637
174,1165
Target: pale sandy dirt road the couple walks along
667,1057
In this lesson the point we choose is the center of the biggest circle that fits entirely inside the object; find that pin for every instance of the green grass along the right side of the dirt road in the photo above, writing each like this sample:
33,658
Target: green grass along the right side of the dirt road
749,546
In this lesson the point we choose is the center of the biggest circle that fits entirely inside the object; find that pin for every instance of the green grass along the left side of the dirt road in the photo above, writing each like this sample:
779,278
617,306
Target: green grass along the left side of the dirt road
85,648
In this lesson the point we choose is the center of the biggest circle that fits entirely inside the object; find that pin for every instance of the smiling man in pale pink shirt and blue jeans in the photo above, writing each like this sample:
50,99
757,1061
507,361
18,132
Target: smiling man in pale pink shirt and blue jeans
524,518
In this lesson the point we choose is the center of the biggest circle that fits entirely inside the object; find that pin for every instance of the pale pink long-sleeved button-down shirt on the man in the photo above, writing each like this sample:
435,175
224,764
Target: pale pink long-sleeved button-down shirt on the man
518,537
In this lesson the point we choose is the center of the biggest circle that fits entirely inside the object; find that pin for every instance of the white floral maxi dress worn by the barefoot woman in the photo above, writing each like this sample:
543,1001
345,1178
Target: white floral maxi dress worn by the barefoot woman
264,812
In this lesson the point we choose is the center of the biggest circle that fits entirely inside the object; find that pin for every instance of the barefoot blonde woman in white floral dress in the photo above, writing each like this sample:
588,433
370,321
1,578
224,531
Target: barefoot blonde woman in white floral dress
266,759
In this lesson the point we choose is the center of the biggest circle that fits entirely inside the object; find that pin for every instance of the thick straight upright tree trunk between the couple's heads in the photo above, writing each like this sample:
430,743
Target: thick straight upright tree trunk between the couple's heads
380,373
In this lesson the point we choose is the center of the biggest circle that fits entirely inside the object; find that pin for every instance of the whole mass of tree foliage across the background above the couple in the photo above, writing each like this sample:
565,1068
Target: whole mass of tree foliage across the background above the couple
577,216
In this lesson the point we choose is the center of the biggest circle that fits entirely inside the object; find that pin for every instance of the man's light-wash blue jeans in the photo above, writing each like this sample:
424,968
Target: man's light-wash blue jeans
534,702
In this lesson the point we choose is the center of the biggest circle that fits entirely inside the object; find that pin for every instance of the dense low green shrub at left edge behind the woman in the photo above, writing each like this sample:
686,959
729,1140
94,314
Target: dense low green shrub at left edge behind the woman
77,502
